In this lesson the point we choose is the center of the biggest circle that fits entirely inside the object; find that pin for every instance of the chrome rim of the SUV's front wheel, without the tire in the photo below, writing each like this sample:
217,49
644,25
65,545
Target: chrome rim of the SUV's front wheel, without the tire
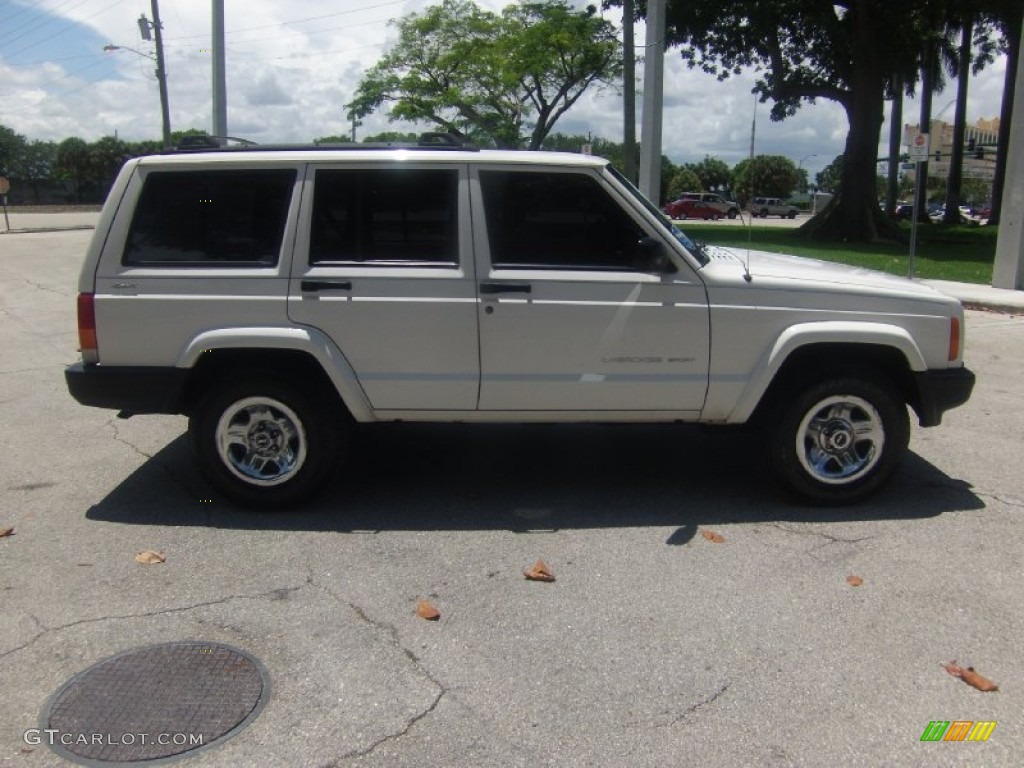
840,440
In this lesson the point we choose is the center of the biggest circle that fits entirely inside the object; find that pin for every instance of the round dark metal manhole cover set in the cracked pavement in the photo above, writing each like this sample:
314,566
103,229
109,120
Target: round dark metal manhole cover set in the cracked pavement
159,703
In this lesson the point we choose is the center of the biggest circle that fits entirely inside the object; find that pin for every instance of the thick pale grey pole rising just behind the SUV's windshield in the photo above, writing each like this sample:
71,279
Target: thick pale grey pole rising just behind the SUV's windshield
654,80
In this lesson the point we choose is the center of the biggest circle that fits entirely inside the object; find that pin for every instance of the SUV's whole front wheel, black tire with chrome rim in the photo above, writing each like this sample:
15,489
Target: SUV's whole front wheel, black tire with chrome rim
840,440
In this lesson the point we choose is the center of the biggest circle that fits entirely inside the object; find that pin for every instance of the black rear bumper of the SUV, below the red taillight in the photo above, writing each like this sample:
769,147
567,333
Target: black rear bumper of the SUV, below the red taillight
136,391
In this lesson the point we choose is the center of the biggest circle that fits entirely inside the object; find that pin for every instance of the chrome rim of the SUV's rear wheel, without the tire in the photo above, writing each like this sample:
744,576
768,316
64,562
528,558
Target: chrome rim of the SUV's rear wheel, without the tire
262,441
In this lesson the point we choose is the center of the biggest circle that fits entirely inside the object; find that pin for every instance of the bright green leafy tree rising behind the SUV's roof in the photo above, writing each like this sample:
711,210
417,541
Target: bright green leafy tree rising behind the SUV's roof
502,80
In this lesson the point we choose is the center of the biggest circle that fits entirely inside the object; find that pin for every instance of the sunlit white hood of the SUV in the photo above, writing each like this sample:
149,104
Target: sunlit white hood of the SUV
817,274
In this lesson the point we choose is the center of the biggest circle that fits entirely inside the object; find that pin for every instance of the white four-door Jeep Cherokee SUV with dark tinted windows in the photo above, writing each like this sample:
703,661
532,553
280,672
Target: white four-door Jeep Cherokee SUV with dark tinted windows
276,296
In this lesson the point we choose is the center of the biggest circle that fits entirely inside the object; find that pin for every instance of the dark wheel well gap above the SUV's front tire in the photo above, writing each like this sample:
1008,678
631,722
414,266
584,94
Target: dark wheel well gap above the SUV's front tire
817,362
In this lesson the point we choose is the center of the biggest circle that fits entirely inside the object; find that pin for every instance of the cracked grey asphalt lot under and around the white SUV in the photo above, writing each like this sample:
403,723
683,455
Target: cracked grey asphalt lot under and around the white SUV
656,647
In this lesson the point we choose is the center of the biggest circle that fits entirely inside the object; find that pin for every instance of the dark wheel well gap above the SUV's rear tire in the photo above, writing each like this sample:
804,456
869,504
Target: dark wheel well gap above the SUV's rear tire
292,366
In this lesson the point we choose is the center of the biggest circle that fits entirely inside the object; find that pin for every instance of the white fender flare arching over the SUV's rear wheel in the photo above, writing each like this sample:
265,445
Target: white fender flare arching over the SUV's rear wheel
309,340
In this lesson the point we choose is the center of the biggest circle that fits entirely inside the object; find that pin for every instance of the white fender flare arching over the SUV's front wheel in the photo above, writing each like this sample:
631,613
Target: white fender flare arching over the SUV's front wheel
830,332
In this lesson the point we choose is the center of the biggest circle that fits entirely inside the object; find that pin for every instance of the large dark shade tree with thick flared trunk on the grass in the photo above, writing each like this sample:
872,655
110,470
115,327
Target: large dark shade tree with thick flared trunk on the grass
803,51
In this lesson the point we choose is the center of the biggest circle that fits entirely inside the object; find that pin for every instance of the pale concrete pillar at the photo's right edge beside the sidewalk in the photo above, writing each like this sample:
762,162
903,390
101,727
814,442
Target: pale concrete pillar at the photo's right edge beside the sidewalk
1009,270
